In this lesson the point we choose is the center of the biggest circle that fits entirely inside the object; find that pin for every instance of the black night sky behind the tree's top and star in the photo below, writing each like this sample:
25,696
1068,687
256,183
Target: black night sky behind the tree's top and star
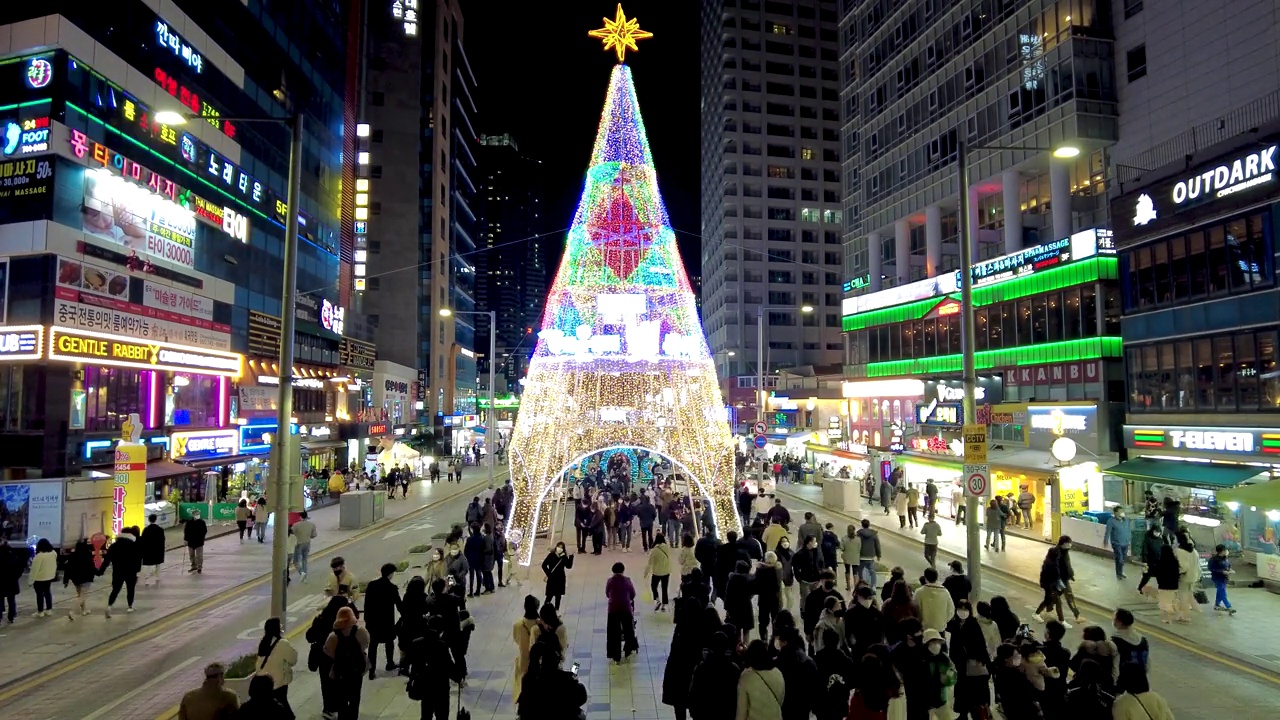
543,80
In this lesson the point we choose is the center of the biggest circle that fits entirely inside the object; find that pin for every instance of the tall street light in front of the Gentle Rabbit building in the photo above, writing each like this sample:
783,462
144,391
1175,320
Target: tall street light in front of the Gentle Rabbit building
280,481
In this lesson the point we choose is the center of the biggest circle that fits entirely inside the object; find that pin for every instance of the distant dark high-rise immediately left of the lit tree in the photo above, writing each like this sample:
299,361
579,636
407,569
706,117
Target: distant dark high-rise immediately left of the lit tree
513,274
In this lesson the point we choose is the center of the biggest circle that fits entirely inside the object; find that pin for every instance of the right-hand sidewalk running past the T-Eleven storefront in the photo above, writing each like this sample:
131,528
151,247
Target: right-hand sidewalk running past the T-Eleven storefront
1252,636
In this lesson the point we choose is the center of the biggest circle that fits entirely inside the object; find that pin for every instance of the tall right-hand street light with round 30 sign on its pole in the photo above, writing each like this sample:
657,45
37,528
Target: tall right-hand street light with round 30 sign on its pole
970,334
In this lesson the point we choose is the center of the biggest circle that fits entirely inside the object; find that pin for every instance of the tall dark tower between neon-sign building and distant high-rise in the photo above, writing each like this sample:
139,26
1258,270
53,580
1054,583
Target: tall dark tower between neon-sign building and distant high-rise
419,106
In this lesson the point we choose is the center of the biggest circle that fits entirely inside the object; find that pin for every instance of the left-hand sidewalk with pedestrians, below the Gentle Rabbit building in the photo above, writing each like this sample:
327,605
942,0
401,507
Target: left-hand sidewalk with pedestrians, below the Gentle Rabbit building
33,645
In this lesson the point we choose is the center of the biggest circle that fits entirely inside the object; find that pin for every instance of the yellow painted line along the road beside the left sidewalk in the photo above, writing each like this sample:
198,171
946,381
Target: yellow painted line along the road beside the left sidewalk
149,632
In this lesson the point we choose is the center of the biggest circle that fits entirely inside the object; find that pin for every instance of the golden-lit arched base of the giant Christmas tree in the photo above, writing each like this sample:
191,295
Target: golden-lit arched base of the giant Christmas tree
572,411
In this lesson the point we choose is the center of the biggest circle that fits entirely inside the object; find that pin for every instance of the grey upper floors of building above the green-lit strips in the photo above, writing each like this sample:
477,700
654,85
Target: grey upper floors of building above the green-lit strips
926,78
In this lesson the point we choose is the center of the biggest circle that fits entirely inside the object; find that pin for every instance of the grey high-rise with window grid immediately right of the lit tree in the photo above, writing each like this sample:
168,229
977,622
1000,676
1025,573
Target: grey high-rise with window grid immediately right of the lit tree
772,226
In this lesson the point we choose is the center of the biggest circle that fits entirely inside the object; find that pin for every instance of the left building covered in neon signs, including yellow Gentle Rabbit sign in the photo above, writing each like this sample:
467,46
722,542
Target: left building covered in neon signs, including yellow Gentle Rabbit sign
145,261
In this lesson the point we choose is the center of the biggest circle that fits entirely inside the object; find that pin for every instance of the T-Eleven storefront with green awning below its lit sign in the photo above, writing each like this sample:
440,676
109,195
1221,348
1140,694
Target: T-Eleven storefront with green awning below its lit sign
1206,470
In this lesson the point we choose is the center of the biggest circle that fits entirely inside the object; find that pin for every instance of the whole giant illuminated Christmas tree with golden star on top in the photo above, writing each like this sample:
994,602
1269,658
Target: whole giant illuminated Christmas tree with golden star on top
621,361
